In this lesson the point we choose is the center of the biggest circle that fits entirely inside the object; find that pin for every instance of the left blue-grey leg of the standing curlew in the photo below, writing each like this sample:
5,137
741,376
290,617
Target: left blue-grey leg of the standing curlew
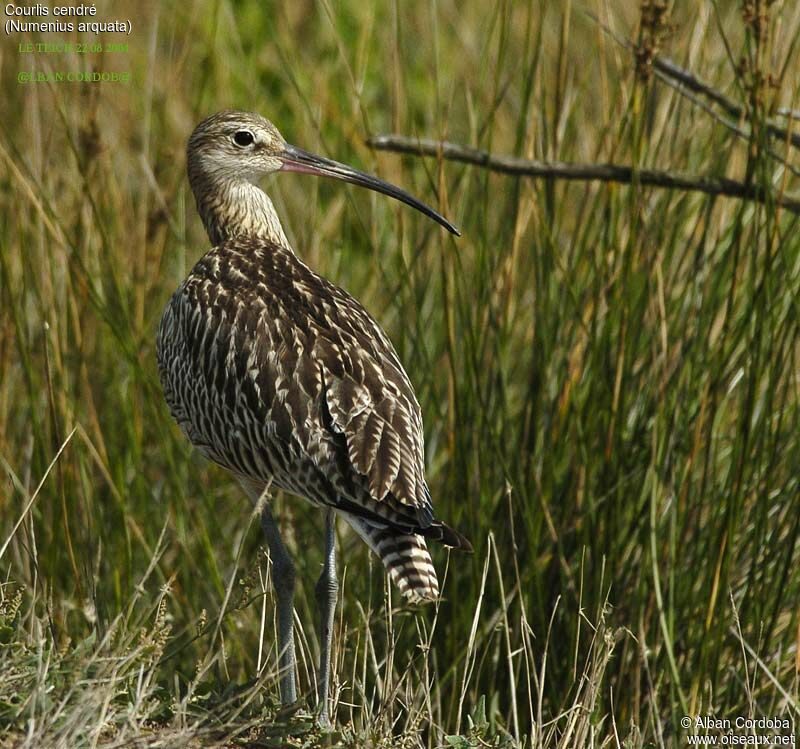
283,580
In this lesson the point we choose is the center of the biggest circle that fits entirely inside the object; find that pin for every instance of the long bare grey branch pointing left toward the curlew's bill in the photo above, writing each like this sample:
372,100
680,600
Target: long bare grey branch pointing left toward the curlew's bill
581,172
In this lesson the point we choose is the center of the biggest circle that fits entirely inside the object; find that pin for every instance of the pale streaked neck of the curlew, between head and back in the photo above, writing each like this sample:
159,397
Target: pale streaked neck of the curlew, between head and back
234,207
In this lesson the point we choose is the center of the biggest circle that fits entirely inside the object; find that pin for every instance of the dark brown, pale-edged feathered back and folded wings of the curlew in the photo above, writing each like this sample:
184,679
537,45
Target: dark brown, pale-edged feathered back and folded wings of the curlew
266,338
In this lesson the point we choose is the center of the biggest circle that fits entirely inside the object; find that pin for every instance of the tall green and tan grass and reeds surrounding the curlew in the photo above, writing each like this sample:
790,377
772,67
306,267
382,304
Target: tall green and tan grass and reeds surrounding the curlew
609,376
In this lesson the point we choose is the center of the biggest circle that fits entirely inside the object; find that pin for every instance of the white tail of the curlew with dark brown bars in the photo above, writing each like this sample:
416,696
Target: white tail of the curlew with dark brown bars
405,557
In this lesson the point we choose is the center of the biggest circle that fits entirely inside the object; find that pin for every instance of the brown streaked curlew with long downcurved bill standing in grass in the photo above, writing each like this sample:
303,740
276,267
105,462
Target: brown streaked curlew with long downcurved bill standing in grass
285,380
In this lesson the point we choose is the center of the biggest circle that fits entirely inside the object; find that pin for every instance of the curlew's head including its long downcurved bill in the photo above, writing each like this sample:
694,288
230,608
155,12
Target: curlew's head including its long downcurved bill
239,146
